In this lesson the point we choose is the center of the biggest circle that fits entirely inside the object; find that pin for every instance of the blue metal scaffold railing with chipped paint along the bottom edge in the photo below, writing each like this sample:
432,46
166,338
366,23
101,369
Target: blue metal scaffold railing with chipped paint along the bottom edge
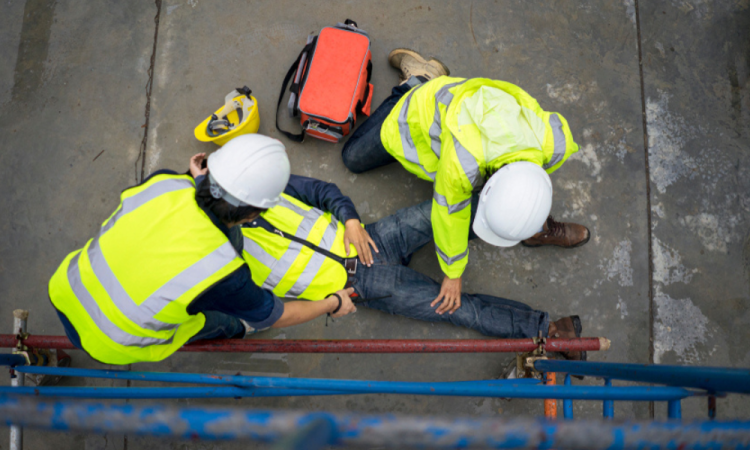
307,430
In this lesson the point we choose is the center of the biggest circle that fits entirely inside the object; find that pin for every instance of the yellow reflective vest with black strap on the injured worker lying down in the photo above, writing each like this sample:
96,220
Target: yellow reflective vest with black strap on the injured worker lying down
289,268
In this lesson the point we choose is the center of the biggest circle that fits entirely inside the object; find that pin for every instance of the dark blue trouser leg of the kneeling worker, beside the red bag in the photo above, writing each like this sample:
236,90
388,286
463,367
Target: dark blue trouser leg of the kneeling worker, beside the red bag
364,150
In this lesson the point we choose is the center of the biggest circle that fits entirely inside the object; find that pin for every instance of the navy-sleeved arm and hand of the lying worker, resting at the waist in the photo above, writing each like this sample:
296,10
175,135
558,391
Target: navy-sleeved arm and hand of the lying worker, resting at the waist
328,197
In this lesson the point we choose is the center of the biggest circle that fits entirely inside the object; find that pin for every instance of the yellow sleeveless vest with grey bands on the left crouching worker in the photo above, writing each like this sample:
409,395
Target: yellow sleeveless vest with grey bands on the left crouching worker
126,292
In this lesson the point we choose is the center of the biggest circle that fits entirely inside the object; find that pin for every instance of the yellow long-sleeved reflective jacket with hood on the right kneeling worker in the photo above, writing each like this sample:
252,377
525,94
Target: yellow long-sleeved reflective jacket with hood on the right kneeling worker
444,131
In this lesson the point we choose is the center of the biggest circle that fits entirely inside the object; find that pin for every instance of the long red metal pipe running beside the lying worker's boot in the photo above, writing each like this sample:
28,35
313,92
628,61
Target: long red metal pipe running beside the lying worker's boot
350,346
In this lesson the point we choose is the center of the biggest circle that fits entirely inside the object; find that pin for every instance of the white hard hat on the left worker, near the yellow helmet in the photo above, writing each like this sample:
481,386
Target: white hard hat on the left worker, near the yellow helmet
251,169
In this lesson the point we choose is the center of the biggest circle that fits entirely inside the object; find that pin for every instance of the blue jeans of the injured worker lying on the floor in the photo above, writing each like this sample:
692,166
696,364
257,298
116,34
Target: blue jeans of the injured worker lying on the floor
398,237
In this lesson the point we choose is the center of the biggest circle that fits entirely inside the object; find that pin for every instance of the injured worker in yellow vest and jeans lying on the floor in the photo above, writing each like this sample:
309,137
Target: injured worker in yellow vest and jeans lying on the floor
312,243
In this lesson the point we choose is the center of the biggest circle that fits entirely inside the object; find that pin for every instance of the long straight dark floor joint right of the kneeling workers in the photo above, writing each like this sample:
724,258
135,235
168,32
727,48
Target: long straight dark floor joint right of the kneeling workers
648,199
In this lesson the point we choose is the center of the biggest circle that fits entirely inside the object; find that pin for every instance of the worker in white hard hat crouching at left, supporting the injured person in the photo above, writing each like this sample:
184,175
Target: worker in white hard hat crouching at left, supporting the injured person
162,271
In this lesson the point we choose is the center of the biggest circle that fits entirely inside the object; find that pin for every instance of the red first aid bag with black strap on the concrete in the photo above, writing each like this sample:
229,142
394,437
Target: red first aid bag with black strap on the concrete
331,83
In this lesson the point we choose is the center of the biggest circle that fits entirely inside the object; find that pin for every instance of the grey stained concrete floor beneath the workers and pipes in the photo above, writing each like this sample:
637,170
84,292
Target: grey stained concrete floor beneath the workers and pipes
662,177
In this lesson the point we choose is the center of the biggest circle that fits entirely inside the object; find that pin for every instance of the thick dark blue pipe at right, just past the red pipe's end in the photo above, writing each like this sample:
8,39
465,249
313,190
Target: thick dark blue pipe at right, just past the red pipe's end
713,379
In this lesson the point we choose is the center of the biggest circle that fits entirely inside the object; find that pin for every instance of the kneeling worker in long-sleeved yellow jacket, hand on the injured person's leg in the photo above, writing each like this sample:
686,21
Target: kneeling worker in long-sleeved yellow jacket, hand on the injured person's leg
459,133
